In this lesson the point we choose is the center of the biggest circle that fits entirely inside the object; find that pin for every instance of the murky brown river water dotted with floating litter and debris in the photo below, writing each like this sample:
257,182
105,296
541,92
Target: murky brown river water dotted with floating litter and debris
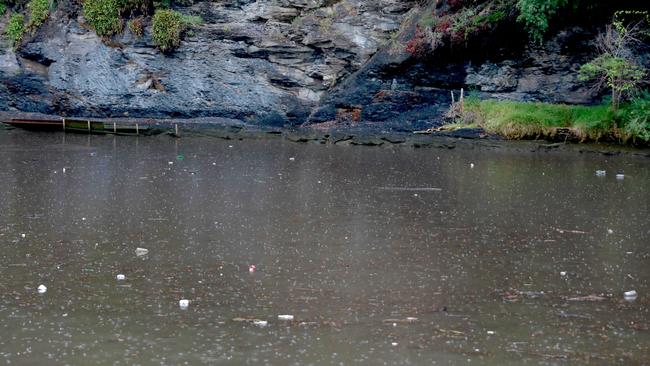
384,256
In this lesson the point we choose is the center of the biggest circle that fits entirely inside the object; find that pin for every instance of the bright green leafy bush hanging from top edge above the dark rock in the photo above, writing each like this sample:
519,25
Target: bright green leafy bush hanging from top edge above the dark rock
535,14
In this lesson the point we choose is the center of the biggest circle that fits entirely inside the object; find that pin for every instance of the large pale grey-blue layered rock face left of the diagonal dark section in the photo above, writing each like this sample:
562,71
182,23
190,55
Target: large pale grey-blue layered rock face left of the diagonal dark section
265,62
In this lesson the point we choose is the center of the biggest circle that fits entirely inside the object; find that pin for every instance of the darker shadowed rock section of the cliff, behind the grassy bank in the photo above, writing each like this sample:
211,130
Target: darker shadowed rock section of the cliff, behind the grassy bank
394,86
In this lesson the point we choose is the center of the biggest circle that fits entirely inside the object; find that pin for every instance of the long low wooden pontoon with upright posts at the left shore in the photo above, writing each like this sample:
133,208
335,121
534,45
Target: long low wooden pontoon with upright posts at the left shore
78,125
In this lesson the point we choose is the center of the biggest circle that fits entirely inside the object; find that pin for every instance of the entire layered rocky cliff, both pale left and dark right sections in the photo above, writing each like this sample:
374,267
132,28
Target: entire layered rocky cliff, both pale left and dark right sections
285,62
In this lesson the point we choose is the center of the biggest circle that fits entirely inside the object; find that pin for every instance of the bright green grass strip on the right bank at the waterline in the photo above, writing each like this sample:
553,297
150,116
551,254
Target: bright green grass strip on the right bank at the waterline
524,120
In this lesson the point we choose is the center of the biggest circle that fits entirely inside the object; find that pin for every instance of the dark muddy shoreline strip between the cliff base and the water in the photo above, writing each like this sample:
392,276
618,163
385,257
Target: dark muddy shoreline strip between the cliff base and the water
356,134
